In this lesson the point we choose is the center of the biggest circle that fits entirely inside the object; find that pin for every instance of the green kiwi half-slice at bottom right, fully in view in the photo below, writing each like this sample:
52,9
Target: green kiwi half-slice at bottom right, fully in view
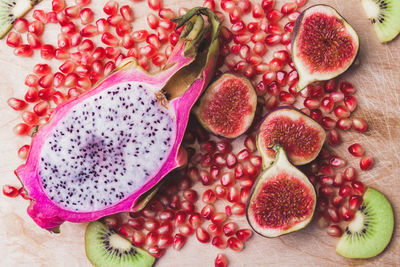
371,230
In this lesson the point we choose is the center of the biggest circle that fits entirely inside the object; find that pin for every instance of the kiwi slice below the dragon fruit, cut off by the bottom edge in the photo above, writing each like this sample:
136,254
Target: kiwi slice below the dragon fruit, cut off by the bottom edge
106,248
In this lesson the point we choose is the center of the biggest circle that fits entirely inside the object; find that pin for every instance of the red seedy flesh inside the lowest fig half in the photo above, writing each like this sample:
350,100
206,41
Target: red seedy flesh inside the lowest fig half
282,202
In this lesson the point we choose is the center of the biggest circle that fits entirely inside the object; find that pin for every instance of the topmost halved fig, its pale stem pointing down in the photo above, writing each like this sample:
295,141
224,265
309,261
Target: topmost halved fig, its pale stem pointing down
324,45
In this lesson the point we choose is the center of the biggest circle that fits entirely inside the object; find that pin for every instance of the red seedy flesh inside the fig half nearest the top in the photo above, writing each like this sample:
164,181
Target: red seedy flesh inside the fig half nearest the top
322,32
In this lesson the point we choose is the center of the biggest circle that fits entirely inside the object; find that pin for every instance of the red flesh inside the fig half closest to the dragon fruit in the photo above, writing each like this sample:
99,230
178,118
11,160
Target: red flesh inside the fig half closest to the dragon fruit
228,108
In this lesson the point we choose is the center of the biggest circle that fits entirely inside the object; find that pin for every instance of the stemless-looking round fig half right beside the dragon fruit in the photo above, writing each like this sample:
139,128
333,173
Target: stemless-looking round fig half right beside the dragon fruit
227,107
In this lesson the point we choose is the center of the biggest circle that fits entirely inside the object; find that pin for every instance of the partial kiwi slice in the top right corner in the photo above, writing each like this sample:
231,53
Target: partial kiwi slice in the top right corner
385,16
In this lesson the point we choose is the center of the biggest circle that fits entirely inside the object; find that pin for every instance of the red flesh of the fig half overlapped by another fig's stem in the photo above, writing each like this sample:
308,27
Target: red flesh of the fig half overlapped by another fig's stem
294,135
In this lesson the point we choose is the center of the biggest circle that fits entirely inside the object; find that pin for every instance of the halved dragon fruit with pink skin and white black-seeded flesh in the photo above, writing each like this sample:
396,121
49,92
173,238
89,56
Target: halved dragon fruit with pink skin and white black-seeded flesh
102,151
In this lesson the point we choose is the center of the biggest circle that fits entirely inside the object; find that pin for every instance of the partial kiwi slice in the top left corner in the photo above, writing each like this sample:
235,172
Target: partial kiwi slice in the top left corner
10,10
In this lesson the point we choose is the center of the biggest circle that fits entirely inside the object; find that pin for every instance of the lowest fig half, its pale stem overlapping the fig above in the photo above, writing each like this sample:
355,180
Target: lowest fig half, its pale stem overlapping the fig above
282,200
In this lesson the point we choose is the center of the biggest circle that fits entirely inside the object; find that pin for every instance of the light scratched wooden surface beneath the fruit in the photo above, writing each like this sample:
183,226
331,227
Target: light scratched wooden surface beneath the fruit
23,243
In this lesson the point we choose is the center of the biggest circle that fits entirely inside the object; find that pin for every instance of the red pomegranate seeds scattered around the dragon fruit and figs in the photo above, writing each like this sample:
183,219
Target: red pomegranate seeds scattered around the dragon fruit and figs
258,49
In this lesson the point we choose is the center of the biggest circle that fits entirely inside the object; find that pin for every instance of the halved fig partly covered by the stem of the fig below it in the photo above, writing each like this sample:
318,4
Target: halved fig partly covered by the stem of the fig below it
300,136
